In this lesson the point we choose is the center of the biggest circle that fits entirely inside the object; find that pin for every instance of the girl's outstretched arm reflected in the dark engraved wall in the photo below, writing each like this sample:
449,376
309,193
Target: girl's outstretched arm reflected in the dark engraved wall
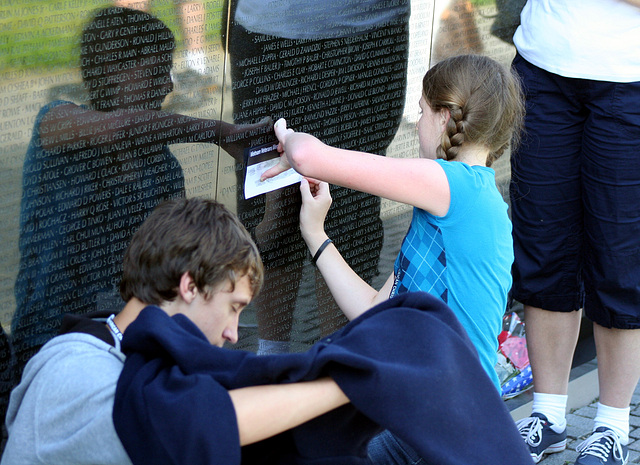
68,126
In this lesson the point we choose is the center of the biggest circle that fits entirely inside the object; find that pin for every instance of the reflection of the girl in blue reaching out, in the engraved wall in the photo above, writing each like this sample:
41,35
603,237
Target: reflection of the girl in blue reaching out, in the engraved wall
93,173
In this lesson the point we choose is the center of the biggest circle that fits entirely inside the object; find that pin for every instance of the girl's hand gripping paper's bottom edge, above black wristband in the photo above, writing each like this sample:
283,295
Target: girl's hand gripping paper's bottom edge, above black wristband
316,200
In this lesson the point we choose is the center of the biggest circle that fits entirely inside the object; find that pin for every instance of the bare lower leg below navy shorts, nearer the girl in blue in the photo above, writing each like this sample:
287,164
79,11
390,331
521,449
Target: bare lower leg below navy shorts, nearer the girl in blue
551,342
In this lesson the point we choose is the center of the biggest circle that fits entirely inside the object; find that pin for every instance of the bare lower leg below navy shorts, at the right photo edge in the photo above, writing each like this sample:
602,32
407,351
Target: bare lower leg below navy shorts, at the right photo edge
618,353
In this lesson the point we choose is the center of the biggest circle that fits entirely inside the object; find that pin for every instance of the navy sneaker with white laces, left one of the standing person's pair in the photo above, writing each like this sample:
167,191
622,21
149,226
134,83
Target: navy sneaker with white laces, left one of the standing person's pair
539,437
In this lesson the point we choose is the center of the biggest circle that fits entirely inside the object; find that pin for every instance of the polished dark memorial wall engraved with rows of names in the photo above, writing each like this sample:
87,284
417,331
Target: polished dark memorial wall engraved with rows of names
348,72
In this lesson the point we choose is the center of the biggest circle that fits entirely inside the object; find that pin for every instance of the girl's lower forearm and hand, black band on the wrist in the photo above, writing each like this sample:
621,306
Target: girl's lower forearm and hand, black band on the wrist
352,294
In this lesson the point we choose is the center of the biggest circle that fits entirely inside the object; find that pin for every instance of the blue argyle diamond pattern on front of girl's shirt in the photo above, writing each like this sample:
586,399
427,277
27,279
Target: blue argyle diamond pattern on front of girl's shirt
422,263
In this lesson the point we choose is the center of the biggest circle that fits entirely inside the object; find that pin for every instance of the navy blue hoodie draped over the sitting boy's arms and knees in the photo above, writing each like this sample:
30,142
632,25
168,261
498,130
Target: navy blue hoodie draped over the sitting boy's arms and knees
406,365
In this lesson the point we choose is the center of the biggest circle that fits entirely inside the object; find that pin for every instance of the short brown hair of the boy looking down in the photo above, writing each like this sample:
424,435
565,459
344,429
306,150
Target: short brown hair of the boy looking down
194,235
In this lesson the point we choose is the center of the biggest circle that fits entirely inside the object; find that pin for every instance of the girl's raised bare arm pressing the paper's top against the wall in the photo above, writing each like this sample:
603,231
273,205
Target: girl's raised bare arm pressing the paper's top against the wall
415,181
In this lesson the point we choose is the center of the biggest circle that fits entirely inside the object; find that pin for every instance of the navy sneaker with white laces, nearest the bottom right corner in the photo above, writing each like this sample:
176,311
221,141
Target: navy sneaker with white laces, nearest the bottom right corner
603,447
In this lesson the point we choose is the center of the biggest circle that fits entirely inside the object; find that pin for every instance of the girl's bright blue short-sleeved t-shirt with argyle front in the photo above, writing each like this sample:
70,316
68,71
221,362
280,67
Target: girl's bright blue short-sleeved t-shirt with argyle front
463,257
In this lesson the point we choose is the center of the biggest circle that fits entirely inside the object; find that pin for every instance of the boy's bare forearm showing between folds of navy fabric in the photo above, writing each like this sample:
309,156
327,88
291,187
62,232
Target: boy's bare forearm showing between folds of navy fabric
264,411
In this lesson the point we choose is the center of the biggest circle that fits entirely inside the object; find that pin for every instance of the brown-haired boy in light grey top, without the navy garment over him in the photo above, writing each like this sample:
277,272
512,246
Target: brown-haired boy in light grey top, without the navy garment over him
191,257
